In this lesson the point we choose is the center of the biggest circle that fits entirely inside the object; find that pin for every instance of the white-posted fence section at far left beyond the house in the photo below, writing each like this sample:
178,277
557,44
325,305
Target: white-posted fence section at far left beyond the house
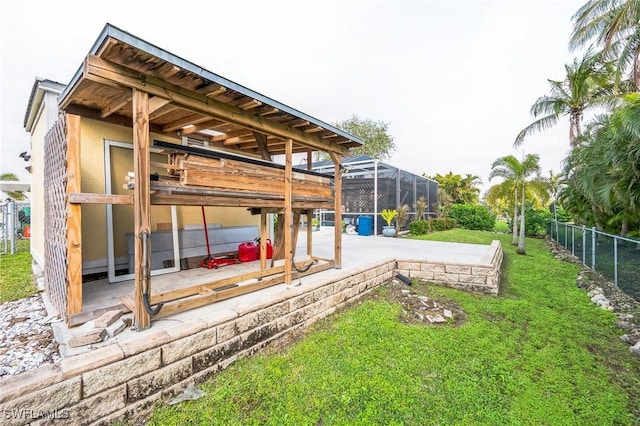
15,224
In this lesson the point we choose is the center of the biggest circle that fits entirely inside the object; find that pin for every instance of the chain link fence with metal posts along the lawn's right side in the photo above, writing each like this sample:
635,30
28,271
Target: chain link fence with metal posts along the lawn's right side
617,258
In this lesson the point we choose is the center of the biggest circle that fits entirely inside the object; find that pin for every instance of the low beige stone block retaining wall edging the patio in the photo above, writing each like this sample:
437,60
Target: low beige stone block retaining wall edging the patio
125,379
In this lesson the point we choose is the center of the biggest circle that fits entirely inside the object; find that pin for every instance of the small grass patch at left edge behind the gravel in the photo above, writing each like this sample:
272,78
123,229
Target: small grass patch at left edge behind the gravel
16,279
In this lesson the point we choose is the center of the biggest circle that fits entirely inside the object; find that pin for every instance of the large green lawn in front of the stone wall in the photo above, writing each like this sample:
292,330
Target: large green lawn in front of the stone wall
540,353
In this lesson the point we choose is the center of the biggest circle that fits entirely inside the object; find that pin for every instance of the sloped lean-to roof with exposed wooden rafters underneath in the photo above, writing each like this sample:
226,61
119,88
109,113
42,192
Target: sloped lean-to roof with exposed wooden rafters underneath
188,100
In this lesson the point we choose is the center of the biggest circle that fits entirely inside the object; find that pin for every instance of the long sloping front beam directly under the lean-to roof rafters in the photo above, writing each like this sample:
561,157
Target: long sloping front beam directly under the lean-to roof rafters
109,73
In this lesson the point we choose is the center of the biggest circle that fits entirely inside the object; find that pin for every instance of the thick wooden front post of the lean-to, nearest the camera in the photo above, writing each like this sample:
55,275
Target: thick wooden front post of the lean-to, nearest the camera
142,210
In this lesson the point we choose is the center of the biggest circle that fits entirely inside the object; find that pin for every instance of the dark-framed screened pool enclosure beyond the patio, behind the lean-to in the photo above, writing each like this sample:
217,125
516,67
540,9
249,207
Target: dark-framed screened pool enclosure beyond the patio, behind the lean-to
370,185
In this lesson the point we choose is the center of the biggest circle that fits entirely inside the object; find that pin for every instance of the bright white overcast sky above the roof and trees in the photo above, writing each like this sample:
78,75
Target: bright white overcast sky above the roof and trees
455,79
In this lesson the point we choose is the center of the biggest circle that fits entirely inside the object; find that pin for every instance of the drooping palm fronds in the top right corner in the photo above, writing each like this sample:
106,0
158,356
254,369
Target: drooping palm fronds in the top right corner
615,26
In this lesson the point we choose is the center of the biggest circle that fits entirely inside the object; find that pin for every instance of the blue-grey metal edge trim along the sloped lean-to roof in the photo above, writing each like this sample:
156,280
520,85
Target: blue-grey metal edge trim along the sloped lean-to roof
110,30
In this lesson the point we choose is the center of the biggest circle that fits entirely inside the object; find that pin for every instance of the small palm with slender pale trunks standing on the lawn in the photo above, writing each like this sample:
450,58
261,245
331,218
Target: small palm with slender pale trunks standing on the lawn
517,173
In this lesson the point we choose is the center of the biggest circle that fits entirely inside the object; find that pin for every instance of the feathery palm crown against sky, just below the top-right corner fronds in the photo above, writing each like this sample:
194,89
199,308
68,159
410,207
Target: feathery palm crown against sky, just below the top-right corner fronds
587,84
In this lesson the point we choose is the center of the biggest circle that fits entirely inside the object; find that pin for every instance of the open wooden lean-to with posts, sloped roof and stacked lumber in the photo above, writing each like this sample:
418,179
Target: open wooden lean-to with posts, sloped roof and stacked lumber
127,81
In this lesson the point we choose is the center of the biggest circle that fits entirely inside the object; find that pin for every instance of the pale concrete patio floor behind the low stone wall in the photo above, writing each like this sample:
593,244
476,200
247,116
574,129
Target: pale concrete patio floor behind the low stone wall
359,253
